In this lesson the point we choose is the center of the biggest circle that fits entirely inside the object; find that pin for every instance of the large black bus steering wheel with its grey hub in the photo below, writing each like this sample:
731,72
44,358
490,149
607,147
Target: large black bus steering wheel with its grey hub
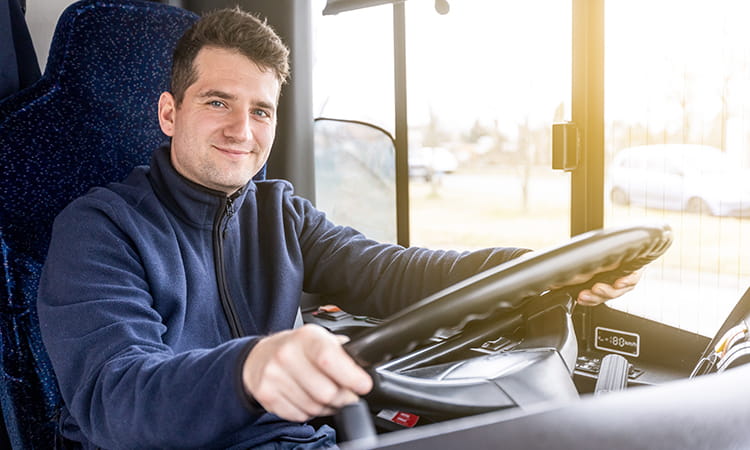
519,294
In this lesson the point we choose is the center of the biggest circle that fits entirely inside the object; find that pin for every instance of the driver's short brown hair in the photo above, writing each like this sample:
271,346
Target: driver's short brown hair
231,29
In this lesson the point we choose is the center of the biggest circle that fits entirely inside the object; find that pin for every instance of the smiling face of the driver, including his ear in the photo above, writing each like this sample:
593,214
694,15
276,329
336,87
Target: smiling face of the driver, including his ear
223,130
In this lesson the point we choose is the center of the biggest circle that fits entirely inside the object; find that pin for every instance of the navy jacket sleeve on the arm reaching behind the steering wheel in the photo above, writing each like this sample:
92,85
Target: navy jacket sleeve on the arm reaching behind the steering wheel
367,277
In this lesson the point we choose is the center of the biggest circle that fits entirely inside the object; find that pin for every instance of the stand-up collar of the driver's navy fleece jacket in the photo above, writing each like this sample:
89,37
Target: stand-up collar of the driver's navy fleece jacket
192,202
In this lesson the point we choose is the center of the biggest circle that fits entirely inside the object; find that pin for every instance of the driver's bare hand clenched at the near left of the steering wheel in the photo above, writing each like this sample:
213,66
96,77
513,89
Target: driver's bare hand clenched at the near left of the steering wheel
302,373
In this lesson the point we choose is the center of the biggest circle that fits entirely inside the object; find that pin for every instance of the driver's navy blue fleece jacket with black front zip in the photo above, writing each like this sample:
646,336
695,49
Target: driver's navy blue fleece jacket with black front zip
155,289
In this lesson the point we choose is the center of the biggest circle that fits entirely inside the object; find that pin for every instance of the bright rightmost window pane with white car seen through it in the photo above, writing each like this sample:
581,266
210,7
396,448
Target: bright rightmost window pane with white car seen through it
683,92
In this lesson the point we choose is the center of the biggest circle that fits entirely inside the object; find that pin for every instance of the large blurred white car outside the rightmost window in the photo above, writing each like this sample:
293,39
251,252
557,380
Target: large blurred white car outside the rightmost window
693,178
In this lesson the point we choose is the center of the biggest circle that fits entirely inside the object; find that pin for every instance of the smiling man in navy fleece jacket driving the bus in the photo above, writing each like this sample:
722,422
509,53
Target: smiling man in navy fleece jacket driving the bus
168,301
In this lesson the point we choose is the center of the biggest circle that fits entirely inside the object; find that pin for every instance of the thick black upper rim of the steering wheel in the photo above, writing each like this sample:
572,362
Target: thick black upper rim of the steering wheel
509,285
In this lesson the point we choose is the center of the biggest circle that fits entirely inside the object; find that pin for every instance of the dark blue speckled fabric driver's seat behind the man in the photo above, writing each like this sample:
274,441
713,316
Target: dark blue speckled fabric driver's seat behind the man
89,120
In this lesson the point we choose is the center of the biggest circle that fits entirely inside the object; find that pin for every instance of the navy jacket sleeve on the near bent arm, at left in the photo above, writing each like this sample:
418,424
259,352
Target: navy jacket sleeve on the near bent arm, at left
120,381
